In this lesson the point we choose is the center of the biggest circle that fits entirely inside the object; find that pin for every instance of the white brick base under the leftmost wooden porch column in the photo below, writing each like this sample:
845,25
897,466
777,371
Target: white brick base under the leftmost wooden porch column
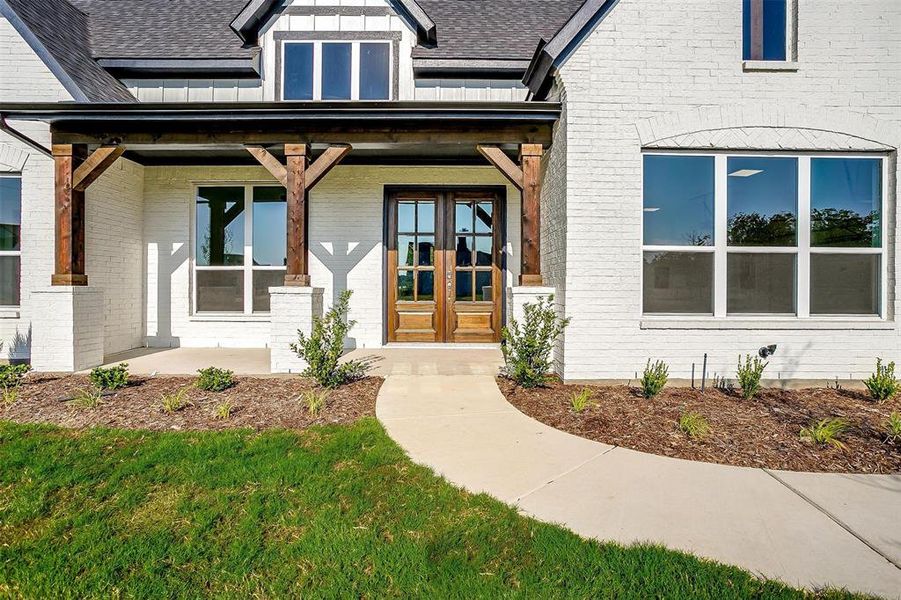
67,329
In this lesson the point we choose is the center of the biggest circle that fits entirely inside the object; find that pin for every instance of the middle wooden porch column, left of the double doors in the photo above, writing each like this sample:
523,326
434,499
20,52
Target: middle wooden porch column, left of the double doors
298,268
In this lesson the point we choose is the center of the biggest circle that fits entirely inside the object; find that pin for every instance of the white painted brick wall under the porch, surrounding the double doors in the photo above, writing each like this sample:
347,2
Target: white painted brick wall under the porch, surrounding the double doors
346,246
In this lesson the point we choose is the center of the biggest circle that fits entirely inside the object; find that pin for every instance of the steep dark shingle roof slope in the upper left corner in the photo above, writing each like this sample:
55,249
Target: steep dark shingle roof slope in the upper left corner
58,32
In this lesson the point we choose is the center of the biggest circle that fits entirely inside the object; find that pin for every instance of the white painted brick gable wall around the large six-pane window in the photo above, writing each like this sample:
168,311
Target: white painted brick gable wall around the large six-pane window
659,64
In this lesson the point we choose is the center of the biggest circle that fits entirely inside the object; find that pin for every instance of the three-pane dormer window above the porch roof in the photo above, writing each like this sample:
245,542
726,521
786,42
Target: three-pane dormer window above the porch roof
337,70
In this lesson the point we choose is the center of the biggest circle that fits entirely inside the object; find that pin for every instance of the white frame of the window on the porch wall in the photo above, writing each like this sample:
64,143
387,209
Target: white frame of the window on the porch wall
247,268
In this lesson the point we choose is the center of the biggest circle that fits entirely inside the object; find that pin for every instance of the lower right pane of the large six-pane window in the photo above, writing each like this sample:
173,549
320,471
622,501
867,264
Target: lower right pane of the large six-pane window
845,284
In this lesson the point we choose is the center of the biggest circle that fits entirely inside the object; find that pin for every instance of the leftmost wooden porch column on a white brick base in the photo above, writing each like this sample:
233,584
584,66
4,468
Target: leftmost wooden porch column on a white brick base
70,216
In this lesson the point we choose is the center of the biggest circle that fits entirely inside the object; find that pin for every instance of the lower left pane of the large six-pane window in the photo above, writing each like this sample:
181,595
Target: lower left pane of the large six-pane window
678,282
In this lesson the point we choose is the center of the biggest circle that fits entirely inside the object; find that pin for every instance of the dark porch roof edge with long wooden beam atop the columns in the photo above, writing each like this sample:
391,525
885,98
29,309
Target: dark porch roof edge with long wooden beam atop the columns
380,131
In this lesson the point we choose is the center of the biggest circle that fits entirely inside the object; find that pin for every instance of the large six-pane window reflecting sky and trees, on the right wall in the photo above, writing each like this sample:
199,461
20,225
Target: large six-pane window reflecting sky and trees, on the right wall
763,235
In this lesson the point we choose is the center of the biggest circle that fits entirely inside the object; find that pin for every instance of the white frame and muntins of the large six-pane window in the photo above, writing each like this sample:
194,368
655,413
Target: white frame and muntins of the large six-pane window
803,250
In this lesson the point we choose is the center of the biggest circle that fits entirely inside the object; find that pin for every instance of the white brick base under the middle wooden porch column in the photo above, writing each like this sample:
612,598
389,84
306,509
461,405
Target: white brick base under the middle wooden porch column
292,308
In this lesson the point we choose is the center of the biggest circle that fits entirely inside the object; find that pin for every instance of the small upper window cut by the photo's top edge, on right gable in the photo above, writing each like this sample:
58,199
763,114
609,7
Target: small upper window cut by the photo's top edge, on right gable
765,29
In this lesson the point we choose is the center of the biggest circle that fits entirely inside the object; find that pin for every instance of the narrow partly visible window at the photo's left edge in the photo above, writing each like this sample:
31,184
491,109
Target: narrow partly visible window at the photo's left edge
10,239
